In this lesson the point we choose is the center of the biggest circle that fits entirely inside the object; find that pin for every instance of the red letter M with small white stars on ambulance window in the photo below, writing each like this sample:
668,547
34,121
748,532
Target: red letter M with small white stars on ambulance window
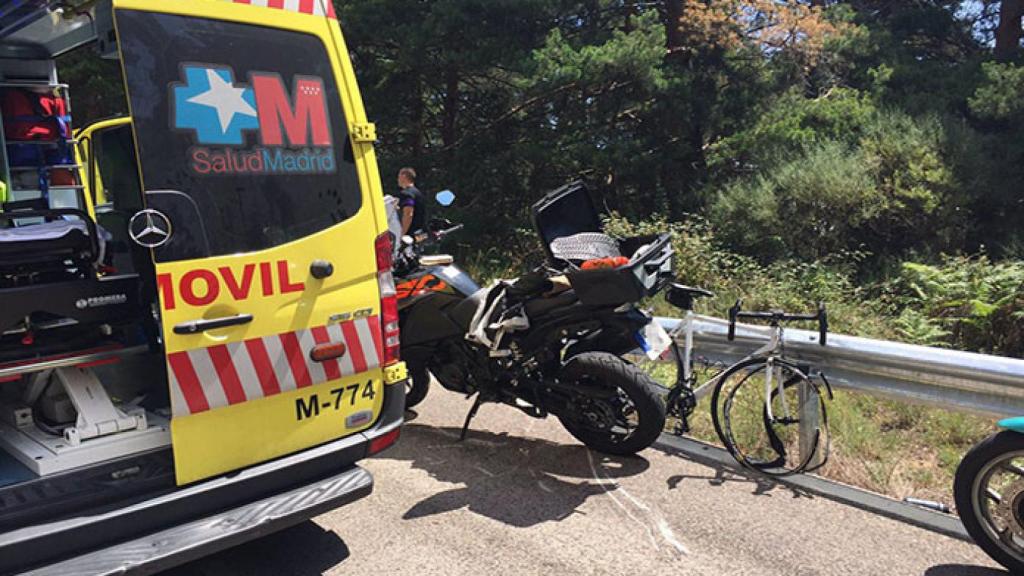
308,116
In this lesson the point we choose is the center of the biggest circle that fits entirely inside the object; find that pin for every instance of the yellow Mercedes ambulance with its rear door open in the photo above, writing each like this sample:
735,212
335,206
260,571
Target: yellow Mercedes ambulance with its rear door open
199,335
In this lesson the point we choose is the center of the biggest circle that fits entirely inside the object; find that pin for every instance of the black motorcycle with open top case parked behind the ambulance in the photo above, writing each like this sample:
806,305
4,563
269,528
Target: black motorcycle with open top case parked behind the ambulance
551,342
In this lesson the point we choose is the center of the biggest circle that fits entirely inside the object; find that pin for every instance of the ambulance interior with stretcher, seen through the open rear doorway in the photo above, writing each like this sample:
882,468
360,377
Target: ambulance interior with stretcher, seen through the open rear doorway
84,409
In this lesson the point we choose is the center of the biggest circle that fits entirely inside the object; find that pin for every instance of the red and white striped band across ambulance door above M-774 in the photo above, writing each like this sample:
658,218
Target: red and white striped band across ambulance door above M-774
227,375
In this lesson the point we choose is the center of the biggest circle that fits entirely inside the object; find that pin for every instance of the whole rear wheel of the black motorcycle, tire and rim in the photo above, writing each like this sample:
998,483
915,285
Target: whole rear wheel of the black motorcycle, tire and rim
626,418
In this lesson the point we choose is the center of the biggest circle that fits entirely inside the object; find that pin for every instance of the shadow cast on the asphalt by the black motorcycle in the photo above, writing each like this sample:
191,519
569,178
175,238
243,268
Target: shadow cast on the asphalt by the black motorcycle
519,481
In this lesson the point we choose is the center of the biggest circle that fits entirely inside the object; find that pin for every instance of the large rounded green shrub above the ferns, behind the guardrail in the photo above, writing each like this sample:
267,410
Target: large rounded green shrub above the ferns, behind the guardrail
889,192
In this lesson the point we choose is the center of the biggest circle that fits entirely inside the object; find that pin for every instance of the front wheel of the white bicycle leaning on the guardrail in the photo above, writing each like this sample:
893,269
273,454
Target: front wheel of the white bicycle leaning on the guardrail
757,408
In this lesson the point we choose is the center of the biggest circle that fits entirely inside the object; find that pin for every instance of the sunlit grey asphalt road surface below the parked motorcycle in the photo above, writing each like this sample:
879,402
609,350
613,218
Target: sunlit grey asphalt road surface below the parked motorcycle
521,497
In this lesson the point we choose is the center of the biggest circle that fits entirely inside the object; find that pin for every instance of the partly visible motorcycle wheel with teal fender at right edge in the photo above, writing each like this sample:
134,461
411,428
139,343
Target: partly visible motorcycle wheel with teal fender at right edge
990,493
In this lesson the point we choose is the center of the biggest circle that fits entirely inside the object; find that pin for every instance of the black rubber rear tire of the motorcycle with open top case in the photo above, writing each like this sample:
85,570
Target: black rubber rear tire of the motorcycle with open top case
609,371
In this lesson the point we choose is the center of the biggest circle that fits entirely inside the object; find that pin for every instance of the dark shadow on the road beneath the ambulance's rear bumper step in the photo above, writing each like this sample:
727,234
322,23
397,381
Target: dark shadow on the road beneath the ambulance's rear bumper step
303,550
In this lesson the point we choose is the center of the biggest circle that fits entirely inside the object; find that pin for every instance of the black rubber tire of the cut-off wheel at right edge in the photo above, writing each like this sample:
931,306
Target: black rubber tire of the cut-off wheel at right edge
969,496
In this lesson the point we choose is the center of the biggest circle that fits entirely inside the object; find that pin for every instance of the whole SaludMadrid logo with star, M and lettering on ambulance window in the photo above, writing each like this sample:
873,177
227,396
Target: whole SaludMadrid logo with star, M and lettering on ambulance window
292,128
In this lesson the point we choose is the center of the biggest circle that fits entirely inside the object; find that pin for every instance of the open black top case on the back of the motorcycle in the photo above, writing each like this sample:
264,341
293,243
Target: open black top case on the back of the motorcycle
569,212
